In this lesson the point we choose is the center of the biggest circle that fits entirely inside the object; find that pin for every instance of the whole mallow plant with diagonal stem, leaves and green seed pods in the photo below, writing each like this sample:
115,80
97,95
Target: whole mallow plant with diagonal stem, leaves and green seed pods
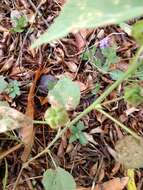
65,95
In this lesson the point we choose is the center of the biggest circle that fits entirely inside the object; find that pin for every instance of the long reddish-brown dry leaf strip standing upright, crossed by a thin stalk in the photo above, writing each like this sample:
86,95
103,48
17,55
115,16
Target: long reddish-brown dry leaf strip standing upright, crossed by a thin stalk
28,134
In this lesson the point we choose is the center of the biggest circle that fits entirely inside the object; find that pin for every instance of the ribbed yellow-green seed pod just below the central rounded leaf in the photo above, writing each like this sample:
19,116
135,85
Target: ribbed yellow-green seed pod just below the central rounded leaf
56,117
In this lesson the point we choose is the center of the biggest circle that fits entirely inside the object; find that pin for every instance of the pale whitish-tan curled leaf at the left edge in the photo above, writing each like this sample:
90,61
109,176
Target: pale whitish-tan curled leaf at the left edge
12,119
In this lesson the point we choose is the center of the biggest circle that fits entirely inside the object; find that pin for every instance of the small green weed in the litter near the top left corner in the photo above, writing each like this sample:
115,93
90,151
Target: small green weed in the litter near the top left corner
20,24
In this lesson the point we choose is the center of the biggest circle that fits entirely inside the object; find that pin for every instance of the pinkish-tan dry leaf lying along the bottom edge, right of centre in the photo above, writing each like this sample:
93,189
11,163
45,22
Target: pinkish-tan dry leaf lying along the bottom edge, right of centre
114,184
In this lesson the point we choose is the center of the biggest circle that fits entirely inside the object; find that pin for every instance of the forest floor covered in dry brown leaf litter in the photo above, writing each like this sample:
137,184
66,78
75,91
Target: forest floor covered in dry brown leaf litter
91,163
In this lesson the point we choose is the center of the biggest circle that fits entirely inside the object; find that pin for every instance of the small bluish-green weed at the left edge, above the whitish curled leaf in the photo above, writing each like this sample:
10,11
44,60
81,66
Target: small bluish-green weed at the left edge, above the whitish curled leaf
11,88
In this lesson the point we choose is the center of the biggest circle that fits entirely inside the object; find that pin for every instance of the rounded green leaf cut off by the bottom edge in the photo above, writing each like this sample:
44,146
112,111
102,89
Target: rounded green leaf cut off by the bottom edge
58,179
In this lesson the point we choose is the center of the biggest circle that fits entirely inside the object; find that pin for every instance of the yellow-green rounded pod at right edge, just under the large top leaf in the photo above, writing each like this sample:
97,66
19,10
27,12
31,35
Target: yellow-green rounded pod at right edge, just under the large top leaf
137,31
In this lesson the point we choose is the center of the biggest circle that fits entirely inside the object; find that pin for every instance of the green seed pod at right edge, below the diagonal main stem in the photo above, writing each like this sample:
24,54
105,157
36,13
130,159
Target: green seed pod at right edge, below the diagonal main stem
133,95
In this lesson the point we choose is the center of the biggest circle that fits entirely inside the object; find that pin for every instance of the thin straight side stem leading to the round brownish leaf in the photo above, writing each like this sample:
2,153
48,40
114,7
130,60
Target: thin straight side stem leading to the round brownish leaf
118,123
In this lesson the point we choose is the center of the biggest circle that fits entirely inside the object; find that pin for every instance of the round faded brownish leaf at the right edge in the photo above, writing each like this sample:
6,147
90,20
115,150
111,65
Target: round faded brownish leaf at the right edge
130,152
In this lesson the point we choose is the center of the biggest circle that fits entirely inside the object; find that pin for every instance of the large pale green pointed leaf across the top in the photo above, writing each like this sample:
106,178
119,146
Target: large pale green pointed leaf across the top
88,14
